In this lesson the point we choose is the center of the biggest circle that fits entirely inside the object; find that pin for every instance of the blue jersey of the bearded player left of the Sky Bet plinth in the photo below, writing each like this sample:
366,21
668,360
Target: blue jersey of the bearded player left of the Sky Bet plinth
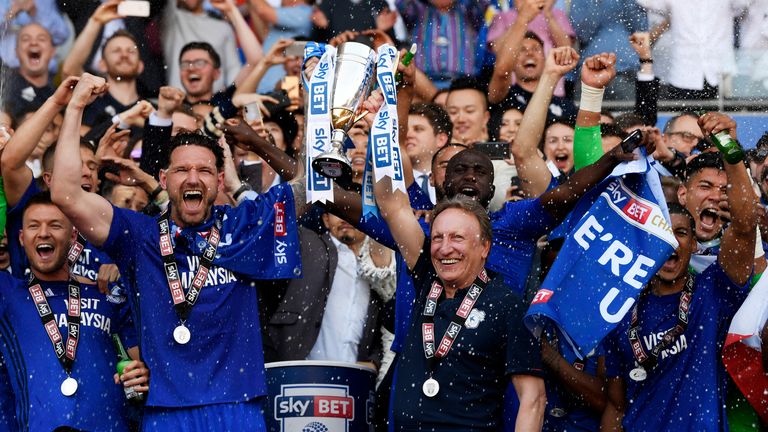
223,362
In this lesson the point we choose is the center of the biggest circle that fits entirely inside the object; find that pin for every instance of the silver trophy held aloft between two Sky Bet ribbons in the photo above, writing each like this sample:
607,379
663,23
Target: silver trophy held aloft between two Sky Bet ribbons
351,86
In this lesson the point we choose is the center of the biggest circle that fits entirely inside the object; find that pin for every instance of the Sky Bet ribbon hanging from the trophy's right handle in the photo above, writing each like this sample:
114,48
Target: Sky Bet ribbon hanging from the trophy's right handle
383,158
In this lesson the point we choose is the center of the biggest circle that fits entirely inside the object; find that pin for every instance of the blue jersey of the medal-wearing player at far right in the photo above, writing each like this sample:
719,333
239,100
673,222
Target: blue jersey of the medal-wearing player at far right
686,391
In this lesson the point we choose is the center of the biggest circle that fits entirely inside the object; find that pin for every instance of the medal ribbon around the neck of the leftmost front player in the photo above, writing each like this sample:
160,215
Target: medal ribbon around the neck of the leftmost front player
65,350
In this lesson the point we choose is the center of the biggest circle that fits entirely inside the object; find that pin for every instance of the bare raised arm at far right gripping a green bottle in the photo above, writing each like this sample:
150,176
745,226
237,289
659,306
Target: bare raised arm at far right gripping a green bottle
738,245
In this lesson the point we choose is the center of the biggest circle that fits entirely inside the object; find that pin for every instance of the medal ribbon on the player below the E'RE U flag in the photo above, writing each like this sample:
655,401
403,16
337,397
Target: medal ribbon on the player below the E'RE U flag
649,360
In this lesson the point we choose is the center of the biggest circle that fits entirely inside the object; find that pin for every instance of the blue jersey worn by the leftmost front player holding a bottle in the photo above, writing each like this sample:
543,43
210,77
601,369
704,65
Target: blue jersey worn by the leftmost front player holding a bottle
35,372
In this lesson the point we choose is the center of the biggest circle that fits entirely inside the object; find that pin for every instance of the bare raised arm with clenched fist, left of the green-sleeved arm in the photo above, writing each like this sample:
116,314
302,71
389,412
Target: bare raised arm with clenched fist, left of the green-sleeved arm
530,166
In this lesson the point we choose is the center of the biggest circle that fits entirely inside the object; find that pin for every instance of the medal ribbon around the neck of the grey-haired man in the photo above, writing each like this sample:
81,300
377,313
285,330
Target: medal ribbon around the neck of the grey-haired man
432,353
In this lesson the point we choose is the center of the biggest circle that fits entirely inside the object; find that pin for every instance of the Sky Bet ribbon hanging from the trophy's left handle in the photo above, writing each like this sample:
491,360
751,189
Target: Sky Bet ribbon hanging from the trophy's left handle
318,135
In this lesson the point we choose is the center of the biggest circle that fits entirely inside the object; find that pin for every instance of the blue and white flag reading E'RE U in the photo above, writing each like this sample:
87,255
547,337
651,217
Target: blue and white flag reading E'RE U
610,254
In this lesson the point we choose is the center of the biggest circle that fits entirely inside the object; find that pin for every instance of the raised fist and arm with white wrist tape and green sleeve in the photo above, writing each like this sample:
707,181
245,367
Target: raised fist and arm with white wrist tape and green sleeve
596,73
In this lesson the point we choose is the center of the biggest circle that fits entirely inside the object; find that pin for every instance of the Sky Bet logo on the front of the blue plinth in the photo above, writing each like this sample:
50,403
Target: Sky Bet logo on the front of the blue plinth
300,405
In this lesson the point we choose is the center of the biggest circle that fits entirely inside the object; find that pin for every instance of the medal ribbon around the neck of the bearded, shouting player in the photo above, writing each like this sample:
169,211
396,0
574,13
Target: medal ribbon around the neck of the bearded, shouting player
183,303
